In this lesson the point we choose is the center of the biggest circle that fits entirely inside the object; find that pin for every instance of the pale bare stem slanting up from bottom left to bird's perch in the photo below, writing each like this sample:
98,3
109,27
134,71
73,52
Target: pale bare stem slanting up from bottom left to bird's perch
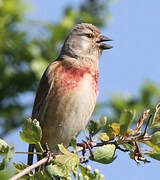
30,168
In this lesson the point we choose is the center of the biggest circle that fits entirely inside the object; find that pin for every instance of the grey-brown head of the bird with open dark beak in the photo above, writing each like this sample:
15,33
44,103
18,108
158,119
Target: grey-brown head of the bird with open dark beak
85,40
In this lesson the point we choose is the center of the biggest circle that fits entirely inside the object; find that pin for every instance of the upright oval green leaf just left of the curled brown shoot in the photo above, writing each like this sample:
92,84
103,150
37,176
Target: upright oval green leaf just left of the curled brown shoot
125,121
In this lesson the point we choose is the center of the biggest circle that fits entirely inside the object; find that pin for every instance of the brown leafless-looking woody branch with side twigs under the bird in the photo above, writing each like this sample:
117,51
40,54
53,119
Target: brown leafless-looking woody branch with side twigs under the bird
127,138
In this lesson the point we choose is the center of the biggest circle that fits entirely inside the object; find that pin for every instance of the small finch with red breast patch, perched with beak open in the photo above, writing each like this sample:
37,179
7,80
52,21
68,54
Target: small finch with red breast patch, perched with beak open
68,90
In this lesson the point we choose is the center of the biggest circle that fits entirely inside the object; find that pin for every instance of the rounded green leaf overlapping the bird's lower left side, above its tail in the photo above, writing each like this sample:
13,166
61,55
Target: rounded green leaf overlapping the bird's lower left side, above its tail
31,131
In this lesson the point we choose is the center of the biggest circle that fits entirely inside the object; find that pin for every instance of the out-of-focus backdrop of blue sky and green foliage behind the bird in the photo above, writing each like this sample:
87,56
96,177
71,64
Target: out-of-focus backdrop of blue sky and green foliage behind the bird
31,35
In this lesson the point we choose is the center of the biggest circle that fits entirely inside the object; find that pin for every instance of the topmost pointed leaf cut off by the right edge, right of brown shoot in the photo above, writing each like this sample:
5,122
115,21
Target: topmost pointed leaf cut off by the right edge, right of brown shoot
156,118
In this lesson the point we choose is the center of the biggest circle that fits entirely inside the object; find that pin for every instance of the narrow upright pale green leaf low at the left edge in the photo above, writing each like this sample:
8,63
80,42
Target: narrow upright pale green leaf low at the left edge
7,158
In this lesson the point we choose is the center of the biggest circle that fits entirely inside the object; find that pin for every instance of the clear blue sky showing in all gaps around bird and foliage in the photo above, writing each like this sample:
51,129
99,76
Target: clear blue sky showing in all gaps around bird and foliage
135,29
